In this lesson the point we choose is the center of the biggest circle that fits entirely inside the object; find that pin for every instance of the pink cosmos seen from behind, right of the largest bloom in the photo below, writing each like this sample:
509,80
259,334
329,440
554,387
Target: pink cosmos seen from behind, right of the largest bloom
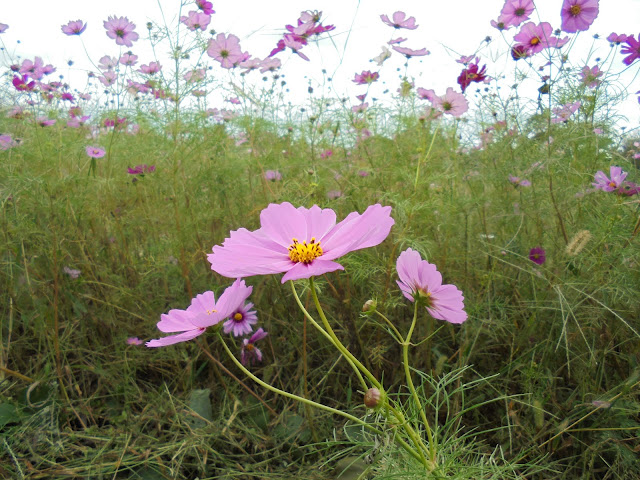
421,279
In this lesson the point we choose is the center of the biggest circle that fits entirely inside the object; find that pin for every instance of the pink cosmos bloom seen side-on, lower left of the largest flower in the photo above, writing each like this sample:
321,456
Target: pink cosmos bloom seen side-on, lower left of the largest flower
203,312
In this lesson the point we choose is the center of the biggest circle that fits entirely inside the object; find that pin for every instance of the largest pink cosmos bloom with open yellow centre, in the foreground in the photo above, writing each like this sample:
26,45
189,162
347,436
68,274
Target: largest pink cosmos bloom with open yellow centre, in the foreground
300,242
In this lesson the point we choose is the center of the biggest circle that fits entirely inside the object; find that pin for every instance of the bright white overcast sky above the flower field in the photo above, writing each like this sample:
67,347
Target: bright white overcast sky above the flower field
446,28
